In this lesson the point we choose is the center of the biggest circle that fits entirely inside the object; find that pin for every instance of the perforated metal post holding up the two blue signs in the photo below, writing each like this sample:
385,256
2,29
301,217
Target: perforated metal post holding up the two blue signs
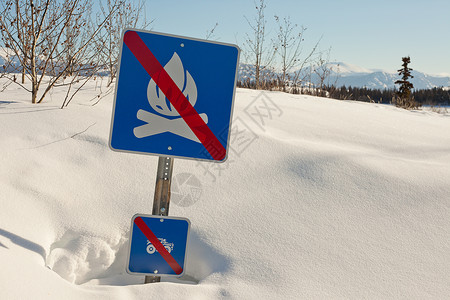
161,199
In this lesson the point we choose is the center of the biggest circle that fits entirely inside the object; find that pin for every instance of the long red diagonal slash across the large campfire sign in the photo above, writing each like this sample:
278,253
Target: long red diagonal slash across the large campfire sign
174,95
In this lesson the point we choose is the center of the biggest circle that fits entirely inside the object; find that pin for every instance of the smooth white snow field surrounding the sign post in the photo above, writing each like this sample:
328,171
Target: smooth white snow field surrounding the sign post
320,199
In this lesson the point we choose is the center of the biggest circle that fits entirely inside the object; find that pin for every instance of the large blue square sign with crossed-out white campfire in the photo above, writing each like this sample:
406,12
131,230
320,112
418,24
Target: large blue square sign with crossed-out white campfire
174,96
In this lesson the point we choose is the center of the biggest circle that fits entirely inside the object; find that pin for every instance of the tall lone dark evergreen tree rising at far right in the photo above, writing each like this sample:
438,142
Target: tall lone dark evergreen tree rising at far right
404,97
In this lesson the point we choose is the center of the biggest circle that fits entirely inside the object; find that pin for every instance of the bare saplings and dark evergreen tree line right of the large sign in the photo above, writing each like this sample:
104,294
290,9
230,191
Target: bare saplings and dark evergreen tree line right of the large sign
315,79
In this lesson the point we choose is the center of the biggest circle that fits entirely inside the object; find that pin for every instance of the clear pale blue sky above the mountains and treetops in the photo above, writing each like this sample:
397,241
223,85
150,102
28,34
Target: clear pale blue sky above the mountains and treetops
370,34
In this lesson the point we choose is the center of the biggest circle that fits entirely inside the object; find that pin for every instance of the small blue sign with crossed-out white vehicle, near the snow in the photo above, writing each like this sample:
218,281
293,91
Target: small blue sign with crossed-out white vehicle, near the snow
158,245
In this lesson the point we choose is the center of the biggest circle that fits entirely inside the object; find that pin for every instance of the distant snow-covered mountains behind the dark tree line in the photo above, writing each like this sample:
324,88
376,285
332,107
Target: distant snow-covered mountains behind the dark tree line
350,75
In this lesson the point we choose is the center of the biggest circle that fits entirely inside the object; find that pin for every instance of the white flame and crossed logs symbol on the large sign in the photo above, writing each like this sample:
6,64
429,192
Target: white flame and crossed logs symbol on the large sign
159,102
